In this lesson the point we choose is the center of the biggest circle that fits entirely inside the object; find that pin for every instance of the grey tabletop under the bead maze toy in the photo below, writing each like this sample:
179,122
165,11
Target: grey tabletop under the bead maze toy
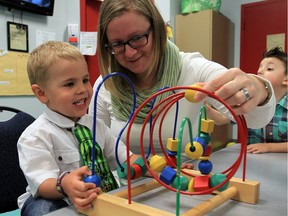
269,169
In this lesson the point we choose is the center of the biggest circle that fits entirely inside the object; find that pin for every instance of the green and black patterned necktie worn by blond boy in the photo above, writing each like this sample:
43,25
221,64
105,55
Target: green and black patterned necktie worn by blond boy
102,169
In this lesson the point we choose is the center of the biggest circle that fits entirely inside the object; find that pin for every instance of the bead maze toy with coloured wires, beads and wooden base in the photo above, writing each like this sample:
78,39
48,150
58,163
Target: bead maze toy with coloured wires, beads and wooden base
166,169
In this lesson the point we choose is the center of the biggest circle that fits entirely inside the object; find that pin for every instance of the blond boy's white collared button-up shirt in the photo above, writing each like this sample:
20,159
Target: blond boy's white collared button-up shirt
47,148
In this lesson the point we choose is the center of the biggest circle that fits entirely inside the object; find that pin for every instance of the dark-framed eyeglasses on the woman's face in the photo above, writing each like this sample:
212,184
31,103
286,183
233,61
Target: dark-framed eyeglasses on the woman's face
134,42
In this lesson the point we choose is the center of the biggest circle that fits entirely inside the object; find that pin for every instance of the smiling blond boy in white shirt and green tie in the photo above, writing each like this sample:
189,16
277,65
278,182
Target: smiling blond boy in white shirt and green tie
48,150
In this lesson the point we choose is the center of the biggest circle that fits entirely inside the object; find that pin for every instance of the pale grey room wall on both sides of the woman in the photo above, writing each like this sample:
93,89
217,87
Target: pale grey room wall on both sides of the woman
67,11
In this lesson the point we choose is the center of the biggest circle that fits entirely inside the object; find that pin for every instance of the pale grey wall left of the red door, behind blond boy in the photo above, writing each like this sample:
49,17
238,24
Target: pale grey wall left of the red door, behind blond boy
65,11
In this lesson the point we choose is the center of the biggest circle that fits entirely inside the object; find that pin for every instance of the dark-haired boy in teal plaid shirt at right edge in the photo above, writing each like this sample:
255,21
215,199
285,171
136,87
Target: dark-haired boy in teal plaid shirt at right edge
273,137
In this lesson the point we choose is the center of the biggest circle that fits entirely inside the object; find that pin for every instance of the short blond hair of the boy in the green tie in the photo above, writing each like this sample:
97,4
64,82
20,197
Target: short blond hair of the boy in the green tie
44,56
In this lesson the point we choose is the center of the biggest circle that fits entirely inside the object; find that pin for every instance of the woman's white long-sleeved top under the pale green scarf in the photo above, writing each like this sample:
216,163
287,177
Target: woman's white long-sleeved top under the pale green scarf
195,69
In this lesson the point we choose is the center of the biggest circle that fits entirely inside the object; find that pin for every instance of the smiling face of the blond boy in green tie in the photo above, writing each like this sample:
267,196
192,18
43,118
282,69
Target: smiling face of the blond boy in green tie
68,90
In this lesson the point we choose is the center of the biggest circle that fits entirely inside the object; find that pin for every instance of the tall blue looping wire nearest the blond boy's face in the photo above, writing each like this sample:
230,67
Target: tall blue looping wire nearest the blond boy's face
95,113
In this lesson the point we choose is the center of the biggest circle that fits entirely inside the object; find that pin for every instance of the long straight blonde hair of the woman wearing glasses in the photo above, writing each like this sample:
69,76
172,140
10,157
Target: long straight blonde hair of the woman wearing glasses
111,9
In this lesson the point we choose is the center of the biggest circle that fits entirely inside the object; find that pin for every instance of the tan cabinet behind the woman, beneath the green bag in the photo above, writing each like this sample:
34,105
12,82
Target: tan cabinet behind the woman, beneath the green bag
211,34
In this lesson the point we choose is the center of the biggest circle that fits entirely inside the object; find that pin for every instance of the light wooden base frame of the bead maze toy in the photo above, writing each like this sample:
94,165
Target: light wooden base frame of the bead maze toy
111,204
